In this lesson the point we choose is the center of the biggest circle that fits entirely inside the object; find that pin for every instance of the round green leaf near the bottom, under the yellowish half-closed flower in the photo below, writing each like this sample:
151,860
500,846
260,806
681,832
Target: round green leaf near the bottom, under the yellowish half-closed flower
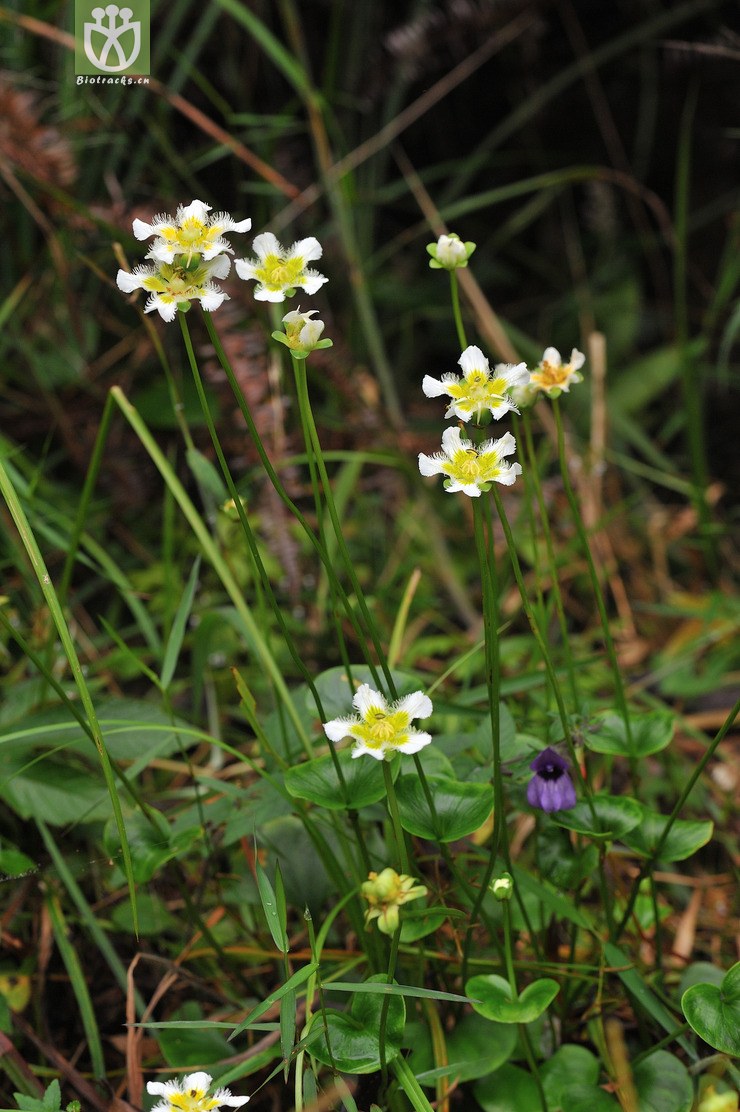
353,1036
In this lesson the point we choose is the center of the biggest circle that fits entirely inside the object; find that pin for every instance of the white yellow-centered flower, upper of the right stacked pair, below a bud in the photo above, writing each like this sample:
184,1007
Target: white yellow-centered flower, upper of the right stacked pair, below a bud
480,390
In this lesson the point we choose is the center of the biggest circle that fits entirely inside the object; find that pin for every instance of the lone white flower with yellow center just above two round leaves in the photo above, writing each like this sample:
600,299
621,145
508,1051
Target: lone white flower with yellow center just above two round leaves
380,729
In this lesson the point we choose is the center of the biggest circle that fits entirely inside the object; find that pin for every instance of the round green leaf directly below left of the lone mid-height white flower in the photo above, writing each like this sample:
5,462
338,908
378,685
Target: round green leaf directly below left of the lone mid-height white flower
318,781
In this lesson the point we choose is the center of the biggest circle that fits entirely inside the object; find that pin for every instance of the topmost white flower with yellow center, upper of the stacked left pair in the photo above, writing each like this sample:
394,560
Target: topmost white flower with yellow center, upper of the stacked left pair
192,232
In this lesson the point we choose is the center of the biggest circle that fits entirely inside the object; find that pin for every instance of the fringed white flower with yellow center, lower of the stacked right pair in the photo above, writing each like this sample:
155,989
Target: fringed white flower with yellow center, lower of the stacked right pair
470,469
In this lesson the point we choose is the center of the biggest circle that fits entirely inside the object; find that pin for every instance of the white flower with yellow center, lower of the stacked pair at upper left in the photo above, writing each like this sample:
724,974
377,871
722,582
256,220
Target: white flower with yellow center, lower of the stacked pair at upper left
171,286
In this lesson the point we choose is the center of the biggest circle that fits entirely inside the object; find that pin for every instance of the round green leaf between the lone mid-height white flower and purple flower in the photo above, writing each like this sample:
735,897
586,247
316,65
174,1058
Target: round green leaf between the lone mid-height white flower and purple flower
461,809
